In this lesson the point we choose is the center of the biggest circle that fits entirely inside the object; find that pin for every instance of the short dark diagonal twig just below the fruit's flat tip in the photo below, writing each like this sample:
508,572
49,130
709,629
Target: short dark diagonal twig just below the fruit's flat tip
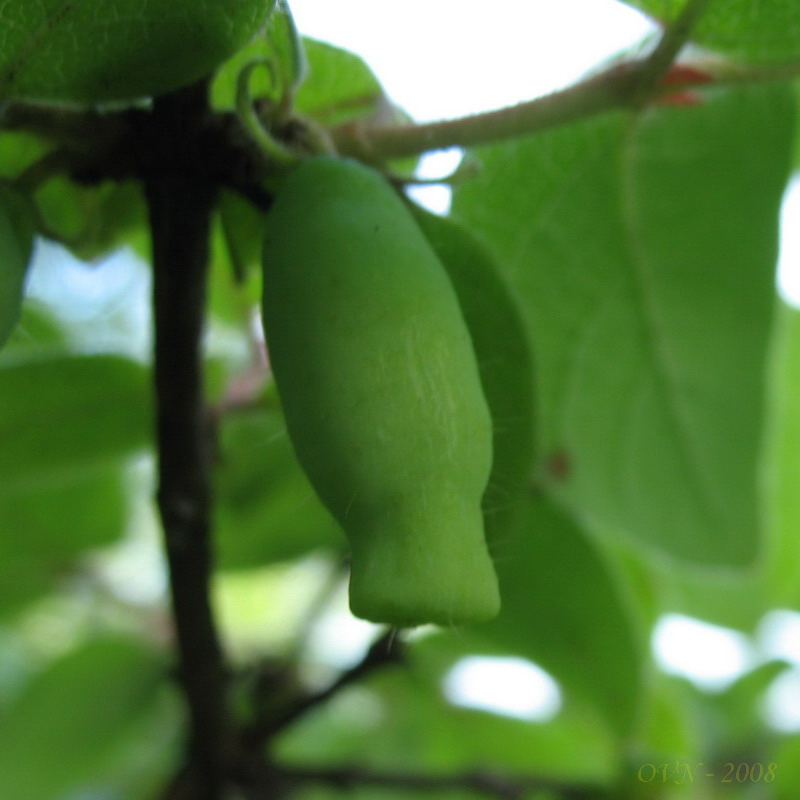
385,651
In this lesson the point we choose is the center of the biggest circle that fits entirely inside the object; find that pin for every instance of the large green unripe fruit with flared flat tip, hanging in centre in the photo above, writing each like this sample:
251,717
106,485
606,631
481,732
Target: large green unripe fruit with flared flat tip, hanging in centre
381,393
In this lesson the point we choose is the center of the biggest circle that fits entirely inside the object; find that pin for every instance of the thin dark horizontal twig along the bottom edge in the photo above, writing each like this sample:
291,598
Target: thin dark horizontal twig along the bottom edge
474,782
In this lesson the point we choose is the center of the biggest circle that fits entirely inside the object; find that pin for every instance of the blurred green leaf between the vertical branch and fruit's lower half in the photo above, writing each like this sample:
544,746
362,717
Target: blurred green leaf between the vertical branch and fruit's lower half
266,508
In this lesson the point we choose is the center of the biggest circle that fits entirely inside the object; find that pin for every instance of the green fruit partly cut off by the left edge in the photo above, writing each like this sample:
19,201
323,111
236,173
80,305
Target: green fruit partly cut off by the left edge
16,244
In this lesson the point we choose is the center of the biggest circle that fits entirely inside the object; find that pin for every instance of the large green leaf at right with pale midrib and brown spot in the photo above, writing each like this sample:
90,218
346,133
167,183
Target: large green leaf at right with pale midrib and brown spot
644,249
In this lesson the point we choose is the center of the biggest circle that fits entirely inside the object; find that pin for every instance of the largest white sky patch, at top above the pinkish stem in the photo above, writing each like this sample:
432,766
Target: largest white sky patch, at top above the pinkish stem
445,58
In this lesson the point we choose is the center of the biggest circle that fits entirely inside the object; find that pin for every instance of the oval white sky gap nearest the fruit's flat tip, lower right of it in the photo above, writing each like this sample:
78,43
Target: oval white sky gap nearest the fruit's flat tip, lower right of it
509,686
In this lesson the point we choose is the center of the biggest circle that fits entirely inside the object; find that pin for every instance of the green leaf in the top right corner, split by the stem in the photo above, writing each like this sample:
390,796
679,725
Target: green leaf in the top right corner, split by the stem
754,30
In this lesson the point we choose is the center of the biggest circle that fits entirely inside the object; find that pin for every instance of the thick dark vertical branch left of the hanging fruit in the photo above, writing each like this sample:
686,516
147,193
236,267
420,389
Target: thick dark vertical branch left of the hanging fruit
180,203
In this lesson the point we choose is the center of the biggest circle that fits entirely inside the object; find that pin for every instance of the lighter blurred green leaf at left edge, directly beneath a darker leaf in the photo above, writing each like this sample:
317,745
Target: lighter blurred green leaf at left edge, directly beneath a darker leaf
44,528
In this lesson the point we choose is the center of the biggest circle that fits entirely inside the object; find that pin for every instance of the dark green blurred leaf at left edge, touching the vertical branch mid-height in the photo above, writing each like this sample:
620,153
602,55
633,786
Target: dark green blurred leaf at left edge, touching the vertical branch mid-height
62,415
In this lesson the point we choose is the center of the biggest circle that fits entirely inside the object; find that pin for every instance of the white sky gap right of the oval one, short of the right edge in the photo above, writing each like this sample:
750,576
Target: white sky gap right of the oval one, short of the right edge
710,656
